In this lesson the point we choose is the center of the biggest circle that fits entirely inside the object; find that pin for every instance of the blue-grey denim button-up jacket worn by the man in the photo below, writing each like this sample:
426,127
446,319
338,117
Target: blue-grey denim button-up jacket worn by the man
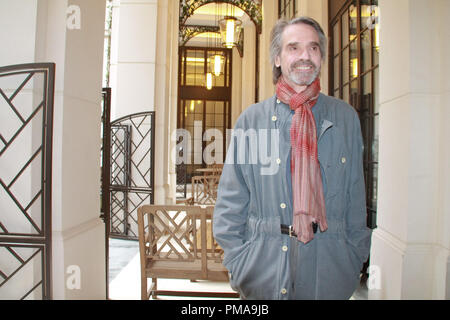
255,197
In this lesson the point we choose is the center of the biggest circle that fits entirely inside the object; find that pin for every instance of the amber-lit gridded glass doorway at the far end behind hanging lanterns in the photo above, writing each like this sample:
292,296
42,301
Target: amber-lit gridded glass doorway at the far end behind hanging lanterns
197,111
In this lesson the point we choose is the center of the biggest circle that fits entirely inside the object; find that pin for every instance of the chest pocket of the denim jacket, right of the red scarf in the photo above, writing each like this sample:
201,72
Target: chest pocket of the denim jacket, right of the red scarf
334,158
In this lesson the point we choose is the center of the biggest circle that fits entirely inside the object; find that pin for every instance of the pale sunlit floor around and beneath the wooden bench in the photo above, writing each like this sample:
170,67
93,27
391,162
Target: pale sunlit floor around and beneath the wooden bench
124,275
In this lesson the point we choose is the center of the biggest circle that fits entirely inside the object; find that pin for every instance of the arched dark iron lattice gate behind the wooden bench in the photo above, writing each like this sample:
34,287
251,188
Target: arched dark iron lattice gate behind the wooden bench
132,171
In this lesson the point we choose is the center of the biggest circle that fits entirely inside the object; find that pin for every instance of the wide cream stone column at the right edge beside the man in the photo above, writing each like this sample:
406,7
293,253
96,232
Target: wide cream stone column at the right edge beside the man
410,247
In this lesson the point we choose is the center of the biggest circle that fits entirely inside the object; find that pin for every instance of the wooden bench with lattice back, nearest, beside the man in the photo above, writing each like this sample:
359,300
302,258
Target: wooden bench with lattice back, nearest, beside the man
173,243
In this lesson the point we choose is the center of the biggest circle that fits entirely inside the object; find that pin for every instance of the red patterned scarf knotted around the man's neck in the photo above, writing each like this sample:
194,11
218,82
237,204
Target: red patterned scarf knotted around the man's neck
307,189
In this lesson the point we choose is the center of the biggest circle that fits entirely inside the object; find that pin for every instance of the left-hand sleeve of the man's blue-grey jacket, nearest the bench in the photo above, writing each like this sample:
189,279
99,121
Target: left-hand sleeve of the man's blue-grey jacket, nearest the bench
231,209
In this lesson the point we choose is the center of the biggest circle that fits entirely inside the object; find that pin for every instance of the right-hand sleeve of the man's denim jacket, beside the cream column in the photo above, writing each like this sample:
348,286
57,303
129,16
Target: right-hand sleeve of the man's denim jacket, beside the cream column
357,232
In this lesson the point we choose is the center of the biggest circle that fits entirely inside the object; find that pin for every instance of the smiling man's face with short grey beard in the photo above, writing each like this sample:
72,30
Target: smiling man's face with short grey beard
300,57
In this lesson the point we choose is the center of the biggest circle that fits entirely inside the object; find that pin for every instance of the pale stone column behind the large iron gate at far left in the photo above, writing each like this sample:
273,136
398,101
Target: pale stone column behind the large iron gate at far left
18,34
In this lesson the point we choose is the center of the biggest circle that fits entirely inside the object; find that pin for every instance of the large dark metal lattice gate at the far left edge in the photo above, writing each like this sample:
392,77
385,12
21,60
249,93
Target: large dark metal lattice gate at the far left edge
26,113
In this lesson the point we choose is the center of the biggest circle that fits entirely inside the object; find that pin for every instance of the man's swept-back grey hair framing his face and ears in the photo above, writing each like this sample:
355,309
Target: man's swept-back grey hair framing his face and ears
276,40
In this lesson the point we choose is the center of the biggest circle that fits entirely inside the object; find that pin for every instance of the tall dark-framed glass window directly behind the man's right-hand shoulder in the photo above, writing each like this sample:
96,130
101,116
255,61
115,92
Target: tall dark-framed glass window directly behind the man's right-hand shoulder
354,69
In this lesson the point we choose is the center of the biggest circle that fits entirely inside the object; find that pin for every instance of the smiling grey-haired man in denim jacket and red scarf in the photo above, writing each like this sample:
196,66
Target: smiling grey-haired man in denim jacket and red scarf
300,231
